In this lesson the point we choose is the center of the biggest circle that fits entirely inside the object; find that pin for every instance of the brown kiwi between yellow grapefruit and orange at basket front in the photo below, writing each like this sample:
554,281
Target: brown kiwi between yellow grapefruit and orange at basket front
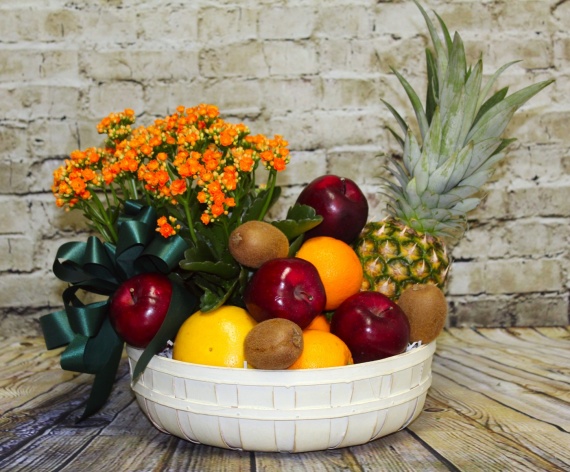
273,344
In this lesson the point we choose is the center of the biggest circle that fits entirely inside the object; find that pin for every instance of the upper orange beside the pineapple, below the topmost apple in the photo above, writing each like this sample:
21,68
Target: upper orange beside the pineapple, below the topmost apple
338,266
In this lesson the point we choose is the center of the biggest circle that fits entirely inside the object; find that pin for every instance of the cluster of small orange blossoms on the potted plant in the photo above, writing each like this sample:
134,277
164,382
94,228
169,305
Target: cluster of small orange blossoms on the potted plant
191,157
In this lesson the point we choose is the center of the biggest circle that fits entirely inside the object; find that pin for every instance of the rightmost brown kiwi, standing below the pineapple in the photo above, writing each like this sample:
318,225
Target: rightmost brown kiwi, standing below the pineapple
426,309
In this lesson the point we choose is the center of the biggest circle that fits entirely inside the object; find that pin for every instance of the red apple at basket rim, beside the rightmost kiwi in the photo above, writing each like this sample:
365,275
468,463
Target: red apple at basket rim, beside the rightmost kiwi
372,326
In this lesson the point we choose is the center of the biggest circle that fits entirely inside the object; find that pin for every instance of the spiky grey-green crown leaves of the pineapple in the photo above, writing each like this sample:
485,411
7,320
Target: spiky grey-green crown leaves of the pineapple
461,126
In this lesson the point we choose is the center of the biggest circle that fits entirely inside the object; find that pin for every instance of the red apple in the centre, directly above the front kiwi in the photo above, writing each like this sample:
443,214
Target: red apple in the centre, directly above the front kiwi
288,288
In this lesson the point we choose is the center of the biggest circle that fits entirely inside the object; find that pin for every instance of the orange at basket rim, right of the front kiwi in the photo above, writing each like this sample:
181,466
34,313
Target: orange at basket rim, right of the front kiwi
322,349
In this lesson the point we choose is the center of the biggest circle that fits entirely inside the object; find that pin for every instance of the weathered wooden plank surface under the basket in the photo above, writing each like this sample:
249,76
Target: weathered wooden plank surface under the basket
500,401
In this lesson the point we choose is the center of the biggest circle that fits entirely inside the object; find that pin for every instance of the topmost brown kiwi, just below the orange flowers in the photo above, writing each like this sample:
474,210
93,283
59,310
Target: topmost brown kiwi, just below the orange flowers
255,242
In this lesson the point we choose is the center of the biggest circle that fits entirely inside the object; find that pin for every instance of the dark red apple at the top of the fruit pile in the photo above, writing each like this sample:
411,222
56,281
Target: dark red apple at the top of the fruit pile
340,202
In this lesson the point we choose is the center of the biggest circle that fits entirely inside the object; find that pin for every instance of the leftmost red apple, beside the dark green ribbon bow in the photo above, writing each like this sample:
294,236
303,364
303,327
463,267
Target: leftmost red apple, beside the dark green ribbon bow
139,307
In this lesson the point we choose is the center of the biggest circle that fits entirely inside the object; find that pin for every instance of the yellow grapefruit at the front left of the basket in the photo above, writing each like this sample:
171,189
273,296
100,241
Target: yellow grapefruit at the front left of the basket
214,338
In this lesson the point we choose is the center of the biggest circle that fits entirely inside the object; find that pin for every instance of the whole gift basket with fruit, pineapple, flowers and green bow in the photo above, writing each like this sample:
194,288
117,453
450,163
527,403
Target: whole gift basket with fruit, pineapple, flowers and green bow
181,200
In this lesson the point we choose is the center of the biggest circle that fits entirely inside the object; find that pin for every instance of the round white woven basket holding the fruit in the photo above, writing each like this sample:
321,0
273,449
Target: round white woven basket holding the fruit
284,411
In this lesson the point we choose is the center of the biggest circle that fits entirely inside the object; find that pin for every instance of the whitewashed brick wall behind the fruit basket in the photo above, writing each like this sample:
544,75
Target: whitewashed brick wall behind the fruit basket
313,71
